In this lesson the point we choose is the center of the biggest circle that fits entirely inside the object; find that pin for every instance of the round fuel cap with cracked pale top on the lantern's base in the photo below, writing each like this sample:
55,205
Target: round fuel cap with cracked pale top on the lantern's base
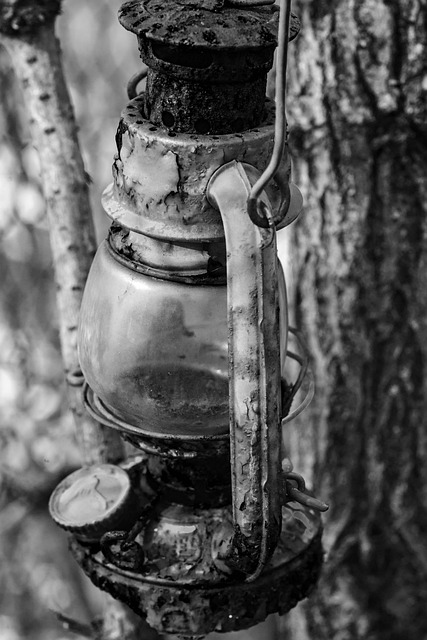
94,500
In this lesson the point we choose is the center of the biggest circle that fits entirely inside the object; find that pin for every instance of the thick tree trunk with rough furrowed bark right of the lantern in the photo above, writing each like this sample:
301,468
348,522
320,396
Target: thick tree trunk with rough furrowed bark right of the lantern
357,111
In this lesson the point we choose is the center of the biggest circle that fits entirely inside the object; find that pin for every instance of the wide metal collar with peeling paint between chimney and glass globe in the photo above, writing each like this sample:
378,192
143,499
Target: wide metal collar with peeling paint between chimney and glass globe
160,178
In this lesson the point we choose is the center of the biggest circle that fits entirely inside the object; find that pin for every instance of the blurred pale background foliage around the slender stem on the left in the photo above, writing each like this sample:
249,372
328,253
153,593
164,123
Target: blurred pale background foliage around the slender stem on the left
38,577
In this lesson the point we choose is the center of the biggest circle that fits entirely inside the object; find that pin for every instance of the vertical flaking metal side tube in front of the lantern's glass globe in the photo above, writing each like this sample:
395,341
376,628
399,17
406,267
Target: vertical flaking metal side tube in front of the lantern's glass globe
254,372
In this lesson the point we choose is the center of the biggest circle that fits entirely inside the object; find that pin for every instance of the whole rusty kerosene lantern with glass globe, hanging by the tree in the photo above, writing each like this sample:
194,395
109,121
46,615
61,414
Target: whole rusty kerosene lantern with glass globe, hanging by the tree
183,335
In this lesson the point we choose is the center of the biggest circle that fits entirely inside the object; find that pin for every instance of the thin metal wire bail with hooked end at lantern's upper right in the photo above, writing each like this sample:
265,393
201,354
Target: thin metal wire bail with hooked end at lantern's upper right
256,210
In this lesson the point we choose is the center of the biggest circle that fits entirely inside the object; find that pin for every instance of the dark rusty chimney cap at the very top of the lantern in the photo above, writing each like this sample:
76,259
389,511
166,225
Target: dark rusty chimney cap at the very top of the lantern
208,62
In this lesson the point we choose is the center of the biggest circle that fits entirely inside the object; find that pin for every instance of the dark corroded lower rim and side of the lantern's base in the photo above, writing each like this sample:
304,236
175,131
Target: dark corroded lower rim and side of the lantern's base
215,601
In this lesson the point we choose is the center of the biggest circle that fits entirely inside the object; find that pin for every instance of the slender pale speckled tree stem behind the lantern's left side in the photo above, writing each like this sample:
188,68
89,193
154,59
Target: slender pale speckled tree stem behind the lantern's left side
27,32
